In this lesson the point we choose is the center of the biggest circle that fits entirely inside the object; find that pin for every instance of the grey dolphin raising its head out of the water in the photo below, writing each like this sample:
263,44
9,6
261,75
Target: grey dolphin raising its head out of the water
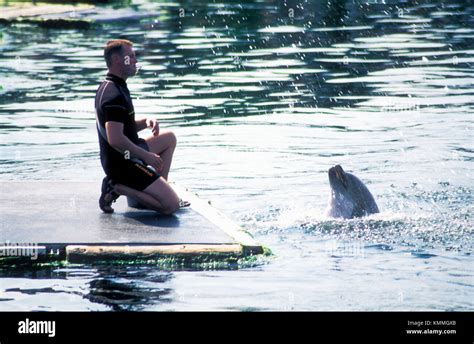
349,196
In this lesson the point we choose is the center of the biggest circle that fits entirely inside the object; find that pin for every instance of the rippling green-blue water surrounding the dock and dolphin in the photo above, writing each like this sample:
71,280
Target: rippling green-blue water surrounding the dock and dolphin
264,98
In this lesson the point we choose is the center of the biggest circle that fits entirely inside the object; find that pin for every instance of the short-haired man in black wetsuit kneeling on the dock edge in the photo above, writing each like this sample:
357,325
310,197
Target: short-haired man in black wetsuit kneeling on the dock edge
134,167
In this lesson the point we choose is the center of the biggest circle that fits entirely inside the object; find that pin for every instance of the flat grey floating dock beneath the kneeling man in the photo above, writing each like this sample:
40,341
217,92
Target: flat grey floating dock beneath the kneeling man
62,220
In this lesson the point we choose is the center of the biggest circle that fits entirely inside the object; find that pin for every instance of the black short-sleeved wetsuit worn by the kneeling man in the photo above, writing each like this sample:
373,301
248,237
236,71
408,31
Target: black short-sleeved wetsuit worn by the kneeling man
113,103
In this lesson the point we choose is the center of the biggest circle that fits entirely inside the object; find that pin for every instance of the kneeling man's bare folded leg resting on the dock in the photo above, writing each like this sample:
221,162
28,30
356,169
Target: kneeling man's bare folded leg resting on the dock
158,196
